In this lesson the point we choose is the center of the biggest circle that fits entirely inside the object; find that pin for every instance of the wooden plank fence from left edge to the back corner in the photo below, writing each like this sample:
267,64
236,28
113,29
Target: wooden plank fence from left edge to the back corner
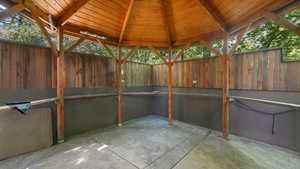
25,66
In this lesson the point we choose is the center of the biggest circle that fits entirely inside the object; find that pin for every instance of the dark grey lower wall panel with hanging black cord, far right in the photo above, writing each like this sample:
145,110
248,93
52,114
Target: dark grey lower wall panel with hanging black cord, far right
258,126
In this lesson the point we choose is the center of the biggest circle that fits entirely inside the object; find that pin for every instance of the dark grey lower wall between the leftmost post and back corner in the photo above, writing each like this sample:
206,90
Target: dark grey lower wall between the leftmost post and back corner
87,114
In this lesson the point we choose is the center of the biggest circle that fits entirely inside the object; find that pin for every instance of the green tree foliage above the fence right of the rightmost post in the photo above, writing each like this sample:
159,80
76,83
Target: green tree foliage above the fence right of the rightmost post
271,35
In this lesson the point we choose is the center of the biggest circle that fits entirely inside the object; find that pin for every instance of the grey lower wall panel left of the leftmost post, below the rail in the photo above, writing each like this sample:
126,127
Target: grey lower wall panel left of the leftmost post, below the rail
24,133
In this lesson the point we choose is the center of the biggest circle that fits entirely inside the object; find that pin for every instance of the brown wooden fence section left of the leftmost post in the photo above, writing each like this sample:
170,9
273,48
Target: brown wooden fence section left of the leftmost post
24,66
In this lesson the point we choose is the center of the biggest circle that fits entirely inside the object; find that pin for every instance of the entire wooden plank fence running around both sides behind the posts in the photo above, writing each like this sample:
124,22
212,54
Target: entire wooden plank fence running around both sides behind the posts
24,66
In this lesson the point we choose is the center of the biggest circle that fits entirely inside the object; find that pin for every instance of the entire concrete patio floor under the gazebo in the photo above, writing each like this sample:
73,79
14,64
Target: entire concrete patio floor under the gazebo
150,143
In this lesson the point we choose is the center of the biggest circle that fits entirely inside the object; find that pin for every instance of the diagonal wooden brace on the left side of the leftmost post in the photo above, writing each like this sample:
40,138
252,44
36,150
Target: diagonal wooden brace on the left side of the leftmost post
44,31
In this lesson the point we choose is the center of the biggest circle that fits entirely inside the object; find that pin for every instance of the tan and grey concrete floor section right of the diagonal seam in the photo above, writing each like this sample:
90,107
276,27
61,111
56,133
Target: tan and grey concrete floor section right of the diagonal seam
238,153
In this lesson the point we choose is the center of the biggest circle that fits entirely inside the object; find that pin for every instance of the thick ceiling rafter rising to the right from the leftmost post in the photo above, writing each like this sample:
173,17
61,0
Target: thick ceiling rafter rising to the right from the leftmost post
65,16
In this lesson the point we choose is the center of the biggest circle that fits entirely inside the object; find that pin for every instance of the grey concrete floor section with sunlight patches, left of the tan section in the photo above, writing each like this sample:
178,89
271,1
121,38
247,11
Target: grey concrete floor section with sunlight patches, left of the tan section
143,143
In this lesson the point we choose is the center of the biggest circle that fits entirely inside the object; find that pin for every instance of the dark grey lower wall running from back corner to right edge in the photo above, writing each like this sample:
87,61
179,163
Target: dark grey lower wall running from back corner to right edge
206,112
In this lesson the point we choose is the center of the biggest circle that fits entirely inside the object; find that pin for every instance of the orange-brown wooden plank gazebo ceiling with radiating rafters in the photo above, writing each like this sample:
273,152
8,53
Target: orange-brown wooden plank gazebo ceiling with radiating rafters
158,23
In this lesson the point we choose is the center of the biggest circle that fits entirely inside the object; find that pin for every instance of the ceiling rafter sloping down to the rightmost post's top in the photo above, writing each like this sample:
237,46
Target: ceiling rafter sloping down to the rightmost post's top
214,13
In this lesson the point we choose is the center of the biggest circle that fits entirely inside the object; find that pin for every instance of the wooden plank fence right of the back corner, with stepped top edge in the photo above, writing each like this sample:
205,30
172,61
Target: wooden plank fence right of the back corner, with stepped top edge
261,70
